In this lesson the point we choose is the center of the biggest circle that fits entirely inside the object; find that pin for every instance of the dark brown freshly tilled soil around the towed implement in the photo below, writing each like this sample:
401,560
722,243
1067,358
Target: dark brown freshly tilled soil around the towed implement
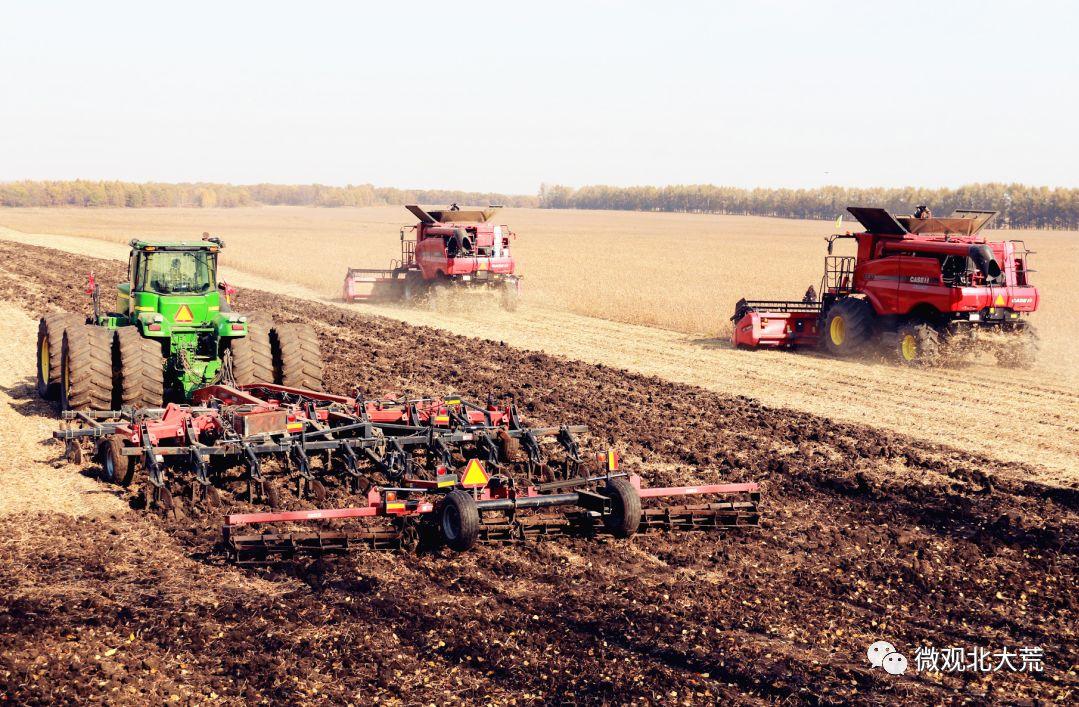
867,536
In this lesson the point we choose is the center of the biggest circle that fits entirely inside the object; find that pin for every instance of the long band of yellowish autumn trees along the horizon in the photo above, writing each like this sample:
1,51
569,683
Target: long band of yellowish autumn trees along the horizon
1020,206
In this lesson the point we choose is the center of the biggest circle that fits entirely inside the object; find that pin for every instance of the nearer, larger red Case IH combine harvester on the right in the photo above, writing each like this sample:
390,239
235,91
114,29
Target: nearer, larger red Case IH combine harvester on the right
924,288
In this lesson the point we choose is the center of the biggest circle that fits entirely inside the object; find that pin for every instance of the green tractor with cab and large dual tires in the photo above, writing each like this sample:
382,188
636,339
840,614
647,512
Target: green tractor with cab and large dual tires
172,332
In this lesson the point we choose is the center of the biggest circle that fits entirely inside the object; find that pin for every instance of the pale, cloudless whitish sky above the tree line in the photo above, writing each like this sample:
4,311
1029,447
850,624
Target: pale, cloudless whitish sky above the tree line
502,97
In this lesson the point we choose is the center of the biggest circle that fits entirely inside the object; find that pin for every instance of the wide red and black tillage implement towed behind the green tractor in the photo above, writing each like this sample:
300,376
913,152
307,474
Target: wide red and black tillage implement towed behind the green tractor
429,471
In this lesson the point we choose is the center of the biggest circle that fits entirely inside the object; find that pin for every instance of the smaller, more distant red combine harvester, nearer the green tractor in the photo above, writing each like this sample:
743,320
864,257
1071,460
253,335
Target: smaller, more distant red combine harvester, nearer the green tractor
452,249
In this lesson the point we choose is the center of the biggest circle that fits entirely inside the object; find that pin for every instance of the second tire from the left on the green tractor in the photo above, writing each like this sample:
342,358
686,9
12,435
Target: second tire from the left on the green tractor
87,369
